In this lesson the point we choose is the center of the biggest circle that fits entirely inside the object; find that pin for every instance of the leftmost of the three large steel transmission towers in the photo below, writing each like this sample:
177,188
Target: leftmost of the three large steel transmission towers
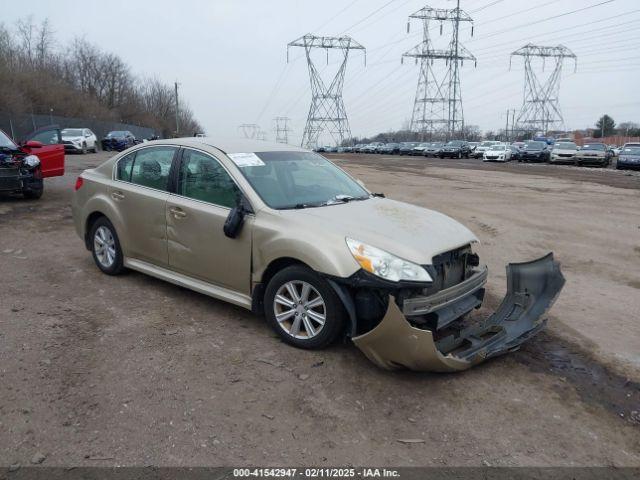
327,112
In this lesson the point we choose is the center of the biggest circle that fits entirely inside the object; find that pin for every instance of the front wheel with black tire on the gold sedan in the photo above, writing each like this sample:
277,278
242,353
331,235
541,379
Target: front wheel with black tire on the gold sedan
301,279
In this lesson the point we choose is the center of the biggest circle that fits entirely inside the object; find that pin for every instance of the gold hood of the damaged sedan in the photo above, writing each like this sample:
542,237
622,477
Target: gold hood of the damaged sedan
407,231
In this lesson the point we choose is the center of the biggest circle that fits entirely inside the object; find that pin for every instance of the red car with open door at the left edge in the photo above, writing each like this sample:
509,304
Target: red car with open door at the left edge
24,165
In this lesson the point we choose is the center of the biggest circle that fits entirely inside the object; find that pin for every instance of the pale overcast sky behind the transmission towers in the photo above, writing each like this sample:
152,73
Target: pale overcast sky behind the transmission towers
230,55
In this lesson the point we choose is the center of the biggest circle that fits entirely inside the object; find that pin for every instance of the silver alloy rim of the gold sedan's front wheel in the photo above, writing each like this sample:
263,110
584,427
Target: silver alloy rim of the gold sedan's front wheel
300,310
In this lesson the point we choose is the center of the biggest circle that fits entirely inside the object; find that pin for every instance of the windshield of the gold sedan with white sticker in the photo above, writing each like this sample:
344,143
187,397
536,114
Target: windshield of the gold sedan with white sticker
300,179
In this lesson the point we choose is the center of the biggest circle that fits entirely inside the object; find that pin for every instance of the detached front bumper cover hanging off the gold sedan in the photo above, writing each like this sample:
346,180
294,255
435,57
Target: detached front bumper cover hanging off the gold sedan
532,288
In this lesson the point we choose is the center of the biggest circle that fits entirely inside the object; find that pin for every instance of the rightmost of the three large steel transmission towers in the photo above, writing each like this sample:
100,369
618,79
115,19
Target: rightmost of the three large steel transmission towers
540,109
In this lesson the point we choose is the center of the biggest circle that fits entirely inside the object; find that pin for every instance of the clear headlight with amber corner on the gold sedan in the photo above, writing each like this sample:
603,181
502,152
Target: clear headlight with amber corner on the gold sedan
385,265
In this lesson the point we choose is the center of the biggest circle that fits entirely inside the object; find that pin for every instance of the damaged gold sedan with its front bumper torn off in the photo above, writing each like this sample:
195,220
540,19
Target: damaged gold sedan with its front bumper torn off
293,236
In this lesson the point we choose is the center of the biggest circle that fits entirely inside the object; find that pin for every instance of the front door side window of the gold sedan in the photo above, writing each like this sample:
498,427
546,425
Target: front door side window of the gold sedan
202,178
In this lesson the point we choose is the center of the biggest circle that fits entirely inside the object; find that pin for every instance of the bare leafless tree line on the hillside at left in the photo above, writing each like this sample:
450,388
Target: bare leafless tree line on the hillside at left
79,79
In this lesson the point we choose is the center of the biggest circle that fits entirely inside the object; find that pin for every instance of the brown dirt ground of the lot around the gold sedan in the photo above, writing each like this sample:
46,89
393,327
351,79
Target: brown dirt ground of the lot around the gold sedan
97,370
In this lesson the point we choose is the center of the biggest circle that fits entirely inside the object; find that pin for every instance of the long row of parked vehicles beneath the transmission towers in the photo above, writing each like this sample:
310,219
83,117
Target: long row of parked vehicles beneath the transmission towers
563,151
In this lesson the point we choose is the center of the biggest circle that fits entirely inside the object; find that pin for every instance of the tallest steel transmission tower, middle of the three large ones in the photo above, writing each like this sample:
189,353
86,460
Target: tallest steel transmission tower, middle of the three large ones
437,108
